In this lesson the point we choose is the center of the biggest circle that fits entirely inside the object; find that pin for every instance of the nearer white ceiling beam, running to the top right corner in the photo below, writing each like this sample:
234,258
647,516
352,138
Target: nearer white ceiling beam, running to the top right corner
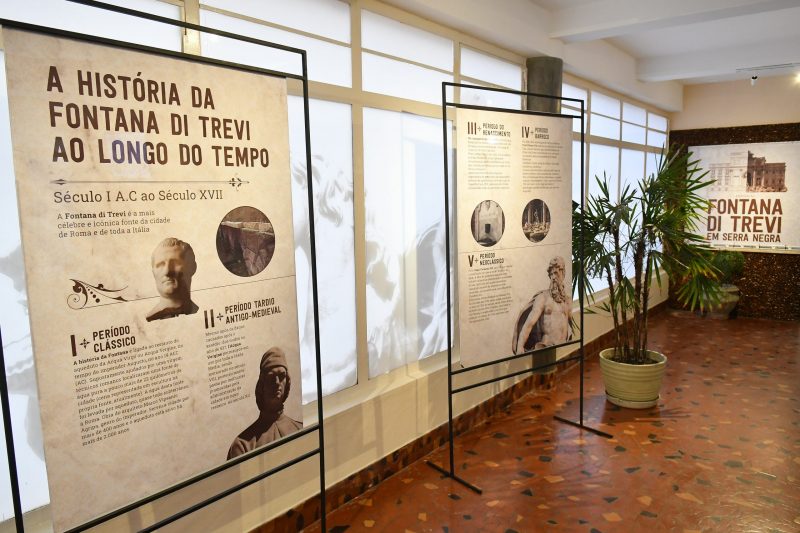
612,18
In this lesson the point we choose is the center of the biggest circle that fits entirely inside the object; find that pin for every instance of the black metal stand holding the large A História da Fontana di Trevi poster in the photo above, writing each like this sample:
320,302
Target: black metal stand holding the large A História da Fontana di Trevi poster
318,427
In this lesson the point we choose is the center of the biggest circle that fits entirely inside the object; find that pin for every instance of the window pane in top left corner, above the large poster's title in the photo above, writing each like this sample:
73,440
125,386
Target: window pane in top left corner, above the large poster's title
102,23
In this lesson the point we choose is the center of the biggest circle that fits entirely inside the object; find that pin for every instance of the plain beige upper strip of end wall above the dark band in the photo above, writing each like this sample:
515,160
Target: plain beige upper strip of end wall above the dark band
772,100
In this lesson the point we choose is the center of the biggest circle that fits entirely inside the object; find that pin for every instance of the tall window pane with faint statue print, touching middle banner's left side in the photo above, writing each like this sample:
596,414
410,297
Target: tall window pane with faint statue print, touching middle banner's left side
404,208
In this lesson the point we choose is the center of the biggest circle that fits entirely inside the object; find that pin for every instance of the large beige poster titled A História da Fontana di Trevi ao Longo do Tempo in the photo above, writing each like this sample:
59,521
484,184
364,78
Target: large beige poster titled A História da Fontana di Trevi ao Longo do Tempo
156,218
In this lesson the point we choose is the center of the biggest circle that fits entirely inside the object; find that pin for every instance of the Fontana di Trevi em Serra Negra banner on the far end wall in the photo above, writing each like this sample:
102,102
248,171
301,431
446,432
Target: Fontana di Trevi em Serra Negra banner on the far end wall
754,200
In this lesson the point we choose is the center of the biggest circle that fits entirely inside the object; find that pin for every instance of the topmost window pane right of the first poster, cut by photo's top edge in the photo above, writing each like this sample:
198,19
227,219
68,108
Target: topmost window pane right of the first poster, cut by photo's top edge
328,18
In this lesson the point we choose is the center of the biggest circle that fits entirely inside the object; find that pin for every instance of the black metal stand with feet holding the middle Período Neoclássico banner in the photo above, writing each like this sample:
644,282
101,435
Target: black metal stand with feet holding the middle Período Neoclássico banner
450,371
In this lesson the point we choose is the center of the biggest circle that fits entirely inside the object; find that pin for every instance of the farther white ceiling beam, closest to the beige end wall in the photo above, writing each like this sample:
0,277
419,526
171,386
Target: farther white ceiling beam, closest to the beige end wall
719,62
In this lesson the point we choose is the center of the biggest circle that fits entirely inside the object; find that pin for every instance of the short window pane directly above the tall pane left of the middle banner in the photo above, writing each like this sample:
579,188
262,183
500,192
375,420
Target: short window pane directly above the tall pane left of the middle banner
403,80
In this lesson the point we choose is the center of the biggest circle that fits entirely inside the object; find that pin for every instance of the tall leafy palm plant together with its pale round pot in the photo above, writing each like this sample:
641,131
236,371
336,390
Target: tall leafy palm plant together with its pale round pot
628,244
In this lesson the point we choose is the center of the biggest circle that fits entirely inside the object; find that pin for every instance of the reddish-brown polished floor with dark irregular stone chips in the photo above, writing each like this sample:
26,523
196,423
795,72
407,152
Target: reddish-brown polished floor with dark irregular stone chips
720,452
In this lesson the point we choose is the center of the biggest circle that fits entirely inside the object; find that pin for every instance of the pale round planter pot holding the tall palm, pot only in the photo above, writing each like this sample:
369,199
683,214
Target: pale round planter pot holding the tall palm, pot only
634,386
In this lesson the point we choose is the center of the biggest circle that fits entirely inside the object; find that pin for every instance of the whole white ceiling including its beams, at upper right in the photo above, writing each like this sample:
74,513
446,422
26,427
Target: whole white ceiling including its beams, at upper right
684,41
